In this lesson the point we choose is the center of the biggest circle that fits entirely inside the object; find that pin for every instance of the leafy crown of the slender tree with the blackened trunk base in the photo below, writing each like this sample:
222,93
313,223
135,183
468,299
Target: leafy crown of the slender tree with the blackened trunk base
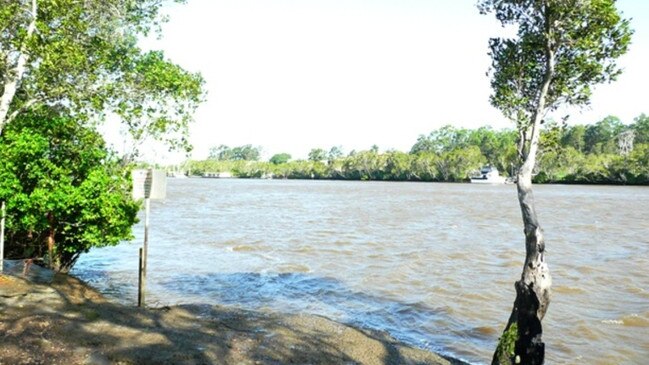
570,44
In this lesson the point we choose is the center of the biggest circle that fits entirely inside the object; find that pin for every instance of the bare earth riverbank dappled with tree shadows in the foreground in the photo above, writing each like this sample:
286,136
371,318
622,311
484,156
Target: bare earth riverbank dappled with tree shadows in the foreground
57,319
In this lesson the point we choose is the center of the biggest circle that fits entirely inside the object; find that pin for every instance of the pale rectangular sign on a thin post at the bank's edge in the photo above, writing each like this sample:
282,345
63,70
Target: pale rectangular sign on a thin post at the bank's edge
148,184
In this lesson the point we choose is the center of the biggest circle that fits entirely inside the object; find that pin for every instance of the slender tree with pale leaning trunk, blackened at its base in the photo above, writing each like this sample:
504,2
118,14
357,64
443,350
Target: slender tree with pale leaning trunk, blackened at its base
562,48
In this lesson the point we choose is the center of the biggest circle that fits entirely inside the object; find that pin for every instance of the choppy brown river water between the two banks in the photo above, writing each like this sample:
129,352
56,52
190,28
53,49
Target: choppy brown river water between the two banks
432,264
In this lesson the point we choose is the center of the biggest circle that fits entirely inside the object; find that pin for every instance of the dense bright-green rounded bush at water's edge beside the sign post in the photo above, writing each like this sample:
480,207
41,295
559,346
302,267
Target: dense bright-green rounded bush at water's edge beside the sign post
60,181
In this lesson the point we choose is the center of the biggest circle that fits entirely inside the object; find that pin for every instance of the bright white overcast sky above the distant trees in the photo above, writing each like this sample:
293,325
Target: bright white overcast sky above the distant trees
292,75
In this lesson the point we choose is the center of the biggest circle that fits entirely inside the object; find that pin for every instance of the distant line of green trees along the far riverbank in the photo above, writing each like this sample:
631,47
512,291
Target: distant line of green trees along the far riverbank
607,152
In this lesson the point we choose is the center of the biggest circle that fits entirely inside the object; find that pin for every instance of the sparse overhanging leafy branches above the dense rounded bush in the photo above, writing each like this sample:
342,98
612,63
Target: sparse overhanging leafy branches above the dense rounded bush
83,56
